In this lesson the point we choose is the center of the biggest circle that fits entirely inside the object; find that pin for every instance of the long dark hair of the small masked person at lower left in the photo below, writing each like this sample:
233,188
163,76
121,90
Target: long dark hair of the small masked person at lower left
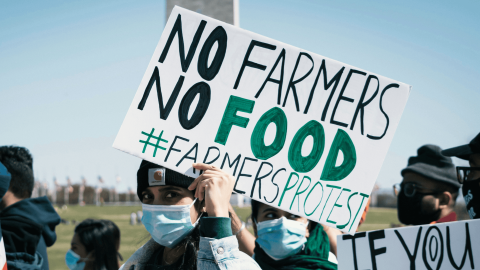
101,237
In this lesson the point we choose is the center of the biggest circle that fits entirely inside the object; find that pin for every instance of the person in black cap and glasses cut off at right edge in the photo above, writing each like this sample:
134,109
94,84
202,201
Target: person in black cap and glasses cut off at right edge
469,176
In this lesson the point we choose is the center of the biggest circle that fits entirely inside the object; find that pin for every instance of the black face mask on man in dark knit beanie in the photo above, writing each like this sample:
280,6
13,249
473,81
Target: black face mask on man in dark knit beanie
411,212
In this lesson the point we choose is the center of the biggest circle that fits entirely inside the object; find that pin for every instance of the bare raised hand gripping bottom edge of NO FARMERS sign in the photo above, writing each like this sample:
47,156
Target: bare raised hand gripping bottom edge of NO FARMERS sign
214,187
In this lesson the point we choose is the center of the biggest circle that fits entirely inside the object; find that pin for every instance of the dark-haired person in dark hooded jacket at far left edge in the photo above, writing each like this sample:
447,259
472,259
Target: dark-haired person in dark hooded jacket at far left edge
28,224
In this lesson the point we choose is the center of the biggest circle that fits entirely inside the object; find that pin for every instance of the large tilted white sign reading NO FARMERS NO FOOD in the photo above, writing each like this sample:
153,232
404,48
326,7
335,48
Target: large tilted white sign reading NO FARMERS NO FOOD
298,131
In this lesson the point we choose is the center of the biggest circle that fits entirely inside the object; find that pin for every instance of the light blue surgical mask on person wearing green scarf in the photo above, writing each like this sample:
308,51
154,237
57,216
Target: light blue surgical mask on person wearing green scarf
281,238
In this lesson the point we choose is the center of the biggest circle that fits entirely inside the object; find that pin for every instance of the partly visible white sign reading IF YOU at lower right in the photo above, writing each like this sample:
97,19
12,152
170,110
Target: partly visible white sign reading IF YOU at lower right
452,245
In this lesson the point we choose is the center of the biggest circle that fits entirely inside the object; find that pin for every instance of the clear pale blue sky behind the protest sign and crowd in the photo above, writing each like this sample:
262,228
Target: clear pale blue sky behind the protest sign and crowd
69,70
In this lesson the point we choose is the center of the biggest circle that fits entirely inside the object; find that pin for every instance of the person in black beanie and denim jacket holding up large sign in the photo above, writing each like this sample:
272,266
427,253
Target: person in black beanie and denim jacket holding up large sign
188,220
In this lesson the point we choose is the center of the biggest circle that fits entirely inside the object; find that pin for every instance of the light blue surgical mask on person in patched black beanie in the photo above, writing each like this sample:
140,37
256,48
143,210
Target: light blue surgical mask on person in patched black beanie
168,224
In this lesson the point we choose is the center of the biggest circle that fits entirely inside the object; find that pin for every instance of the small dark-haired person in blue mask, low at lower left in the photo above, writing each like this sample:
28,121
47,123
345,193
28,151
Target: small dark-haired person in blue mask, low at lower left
94,246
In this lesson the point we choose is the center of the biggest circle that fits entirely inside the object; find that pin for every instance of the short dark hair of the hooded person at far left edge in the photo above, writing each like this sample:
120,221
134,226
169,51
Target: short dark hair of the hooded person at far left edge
18,162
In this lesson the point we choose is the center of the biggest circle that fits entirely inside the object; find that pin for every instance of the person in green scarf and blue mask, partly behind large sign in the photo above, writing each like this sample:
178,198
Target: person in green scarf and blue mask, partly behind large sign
288,241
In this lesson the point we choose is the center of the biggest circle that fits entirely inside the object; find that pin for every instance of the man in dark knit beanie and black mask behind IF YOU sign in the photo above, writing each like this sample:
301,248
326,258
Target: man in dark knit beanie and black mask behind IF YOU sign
429,188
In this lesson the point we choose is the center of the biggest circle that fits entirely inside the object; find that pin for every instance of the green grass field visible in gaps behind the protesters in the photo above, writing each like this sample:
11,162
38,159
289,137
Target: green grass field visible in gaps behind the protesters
132,237
